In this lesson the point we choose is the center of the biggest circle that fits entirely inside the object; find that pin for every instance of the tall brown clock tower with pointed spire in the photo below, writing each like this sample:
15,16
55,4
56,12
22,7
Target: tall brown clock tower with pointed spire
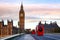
21,18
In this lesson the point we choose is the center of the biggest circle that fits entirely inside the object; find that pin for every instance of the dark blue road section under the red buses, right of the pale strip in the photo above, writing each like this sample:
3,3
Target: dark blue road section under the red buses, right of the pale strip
47,37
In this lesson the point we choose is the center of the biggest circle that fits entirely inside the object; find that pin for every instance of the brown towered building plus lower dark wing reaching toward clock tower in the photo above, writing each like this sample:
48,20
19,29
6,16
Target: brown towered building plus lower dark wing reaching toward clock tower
8,29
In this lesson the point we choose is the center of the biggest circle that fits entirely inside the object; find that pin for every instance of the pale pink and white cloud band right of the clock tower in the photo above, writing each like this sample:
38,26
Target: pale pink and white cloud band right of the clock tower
42,9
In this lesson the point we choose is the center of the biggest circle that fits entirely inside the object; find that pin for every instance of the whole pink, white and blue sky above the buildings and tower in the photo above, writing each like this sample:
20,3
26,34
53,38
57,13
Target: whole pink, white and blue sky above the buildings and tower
35,11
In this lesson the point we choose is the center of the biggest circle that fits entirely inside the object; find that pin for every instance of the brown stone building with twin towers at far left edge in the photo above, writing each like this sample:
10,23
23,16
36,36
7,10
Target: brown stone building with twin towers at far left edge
6,29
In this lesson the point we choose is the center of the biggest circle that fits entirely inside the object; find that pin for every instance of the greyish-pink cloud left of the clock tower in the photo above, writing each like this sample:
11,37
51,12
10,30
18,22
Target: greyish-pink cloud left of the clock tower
9,11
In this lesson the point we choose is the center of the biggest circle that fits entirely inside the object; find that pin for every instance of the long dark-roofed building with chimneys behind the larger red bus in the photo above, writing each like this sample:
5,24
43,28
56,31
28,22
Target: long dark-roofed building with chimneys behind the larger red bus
50,28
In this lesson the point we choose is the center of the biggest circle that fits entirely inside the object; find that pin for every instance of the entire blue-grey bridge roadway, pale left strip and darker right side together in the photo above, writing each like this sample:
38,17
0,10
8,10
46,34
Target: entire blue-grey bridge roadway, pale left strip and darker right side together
35,37
